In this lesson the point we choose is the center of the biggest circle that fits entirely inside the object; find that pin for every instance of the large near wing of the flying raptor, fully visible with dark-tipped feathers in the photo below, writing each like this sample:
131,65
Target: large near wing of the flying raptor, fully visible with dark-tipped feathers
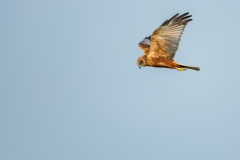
165,39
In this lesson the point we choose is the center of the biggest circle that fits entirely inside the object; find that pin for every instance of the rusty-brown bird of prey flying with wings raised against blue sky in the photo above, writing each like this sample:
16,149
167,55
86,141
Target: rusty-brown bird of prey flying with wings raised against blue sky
159,48
